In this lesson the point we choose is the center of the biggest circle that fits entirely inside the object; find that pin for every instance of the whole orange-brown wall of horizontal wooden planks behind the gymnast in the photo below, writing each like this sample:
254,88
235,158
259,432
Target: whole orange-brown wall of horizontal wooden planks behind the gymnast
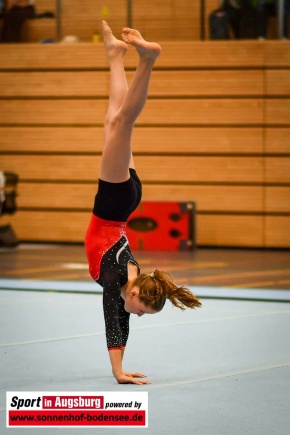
215,130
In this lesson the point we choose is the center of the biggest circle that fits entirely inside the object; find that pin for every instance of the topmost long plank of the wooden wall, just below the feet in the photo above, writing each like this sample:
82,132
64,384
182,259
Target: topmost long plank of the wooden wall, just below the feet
200,54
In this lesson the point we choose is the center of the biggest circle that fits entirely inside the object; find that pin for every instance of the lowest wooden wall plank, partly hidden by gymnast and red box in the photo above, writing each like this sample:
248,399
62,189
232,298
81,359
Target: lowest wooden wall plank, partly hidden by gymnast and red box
212,230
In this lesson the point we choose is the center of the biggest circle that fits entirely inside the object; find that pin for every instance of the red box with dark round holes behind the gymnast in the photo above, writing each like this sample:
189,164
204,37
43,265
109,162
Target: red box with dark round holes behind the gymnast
167,226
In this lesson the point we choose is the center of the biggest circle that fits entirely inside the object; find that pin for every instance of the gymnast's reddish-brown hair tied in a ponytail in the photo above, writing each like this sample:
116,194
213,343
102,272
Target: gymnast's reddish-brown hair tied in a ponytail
158,286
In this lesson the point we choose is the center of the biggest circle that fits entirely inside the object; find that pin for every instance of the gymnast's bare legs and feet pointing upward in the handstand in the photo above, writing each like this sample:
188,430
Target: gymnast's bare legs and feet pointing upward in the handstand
125,104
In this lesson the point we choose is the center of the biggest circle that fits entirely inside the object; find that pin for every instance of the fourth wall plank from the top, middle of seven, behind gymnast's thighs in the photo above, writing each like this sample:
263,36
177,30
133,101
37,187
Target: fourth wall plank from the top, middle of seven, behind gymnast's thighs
153,140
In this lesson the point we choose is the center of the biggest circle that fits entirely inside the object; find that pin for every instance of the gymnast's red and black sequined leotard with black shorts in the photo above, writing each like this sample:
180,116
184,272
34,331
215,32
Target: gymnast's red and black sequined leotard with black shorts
108,251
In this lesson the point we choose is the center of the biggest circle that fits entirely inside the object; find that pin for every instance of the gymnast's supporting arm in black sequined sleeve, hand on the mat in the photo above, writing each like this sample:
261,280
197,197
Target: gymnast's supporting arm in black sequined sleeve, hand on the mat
117,327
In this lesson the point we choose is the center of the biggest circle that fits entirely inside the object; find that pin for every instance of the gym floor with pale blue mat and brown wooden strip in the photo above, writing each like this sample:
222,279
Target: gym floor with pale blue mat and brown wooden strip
224,369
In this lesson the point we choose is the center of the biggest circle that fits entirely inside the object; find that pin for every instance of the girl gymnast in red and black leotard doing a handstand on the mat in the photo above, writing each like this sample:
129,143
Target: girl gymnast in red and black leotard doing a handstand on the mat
111,263
